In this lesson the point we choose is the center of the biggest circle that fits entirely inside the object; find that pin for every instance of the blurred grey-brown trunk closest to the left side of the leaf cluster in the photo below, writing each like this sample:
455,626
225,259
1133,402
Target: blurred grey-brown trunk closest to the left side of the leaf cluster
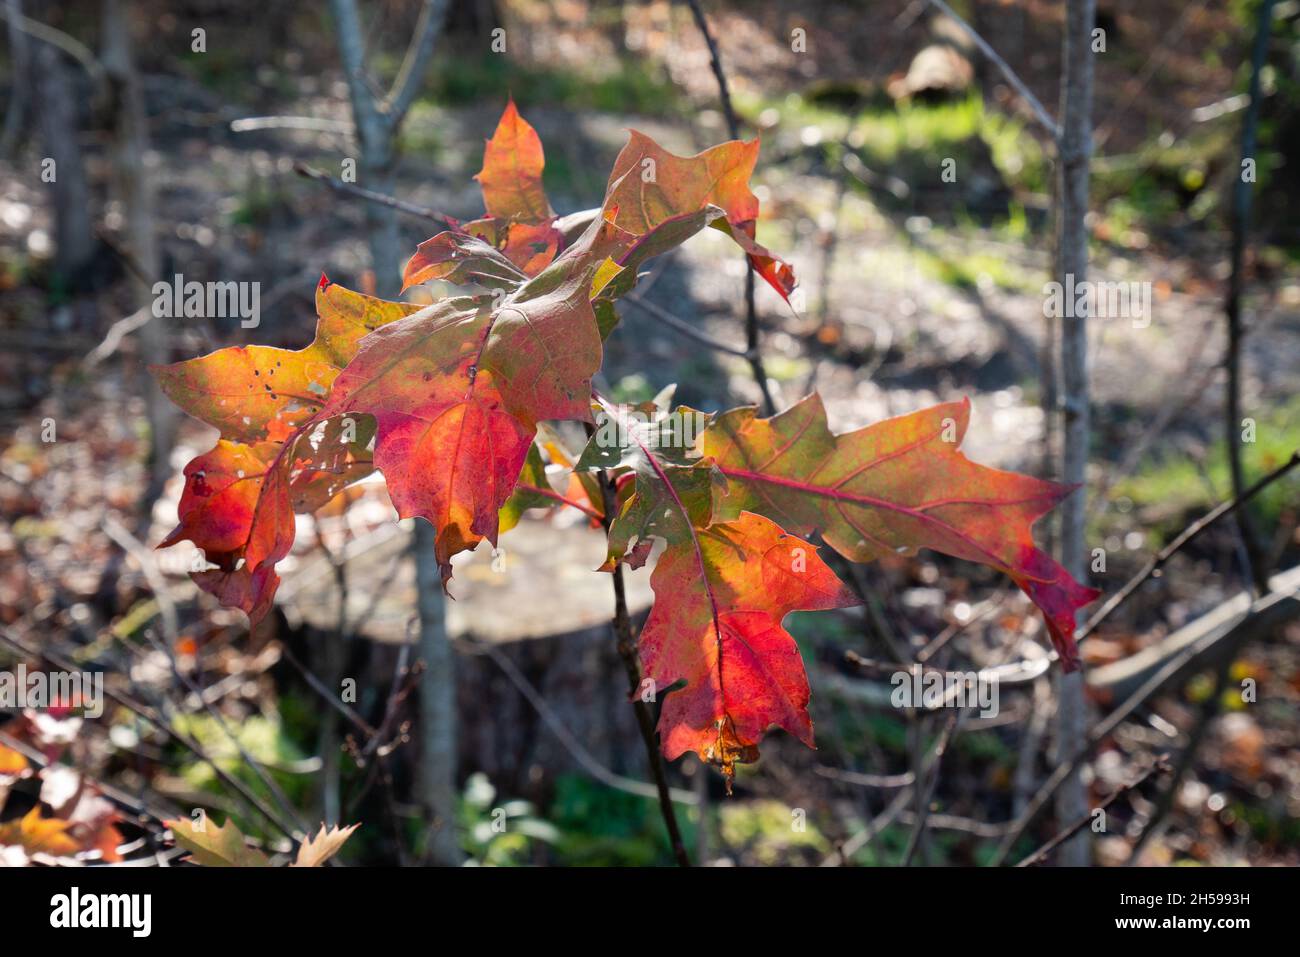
135,188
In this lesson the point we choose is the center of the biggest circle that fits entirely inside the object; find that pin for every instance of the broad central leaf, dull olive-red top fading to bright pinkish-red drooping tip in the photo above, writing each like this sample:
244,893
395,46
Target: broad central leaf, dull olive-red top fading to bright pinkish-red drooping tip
457,393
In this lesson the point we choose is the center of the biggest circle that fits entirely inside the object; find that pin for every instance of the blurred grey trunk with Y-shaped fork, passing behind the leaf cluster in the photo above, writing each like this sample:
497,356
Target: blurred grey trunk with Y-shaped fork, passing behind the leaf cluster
376,135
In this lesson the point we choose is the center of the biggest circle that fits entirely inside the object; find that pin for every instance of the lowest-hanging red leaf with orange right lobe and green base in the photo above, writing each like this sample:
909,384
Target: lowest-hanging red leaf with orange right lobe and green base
722,590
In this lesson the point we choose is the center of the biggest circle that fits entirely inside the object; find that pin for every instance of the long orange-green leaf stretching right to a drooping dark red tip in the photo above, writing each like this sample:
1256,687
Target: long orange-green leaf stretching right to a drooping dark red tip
899,486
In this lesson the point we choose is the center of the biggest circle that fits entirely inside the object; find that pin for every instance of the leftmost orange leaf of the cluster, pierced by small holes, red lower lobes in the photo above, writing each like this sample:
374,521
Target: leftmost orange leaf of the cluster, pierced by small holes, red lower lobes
278,453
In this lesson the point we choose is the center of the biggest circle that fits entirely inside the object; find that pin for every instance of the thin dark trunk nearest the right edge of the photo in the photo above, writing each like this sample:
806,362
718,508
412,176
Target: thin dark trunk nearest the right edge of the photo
1255,552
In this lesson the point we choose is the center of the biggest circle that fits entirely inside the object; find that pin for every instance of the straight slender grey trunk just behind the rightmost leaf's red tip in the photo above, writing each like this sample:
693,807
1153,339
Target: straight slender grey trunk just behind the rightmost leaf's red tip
1073,261
